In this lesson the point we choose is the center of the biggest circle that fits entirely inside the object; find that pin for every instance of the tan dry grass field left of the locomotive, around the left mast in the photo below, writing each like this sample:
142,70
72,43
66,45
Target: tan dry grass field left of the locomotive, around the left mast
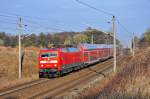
9,66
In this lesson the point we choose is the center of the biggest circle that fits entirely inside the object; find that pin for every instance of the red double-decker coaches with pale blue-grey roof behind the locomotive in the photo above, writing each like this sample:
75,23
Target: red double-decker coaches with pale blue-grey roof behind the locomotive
95,52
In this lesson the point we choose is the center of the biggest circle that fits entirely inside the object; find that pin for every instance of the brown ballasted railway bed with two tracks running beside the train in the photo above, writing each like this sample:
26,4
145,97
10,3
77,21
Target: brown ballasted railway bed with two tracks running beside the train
52,87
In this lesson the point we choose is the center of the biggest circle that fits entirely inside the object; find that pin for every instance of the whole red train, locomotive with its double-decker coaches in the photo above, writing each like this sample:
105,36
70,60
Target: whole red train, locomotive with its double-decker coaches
58,61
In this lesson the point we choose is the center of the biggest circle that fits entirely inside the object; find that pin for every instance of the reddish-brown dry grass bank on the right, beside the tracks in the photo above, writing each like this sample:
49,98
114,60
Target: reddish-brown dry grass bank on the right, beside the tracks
133,80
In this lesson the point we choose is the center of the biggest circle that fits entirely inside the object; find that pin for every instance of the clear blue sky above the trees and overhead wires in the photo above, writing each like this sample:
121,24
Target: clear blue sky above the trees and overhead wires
69,15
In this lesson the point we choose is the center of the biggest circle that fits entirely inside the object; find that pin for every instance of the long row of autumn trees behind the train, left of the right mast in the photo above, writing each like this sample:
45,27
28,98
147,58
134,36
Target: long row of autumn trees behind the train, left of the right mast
67,38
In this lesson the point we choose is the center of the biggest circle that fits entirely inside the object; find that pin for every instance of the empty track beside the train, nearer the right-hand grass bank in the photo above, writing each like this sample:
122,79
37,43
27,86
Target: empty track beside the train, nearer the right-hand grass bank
68,85
